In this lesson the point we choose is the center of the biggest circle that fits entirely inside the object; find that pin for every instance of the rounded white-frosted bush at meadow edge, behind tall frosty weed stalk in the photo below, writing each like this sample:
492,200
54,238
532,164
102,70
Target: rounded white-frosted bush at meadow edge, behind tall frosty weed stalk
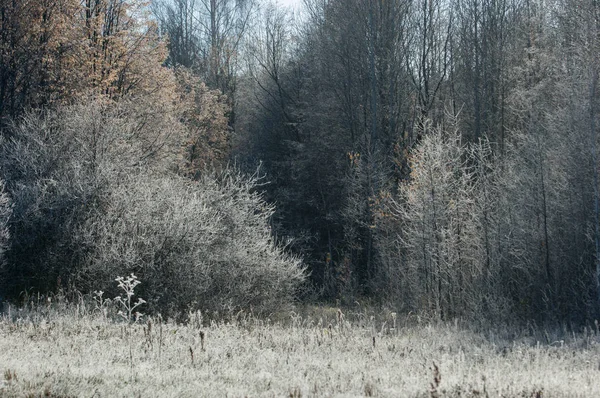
207,244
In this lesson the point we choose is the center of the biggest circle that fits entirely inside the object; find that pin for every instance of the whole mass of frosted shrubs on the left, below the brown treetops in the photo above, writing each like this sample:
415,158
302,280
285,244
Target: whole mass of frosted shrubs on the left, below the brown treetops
96,196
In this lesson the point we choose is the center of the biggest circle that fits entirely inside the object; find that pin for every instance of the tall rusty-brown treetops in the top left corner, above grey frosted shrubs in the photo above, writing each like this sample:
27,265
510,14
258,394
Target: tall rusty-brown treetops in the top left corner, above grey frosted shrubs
60,50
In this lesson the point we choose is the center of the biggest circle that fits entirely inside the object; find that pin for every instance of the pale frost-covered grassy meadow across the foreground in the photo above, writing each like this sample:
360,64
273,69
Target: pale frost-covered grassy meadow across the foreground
66,354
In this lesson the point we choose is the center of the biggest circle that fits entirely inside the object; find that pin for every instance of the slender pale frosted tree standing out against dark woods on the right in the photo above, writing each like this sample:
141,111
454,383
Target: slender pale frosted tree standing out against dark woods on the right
440,227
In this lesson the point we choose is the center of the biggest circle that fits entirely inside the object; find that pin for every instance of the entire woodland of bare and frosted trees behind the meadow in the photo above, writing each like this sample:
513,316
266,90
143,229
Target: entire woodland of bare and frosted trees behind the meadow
438,157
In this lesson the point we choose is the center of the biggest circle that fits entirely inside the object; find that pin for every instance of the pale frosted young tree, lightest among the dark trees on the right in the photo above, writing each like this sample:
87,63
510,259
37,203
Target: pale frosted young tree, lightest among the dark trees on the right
439,242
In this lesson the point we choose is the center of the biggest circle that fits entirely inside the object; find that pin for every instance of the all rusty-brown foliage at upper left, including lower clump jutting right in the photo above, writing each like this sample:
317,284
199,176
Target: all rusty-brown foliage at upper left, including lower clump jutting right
56,52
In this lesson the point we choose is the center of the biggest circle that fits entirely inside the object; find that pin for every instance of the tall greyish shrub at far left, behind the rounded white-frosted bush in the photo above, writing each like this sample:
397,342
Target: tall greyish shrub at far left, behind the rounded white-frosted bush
56,165
